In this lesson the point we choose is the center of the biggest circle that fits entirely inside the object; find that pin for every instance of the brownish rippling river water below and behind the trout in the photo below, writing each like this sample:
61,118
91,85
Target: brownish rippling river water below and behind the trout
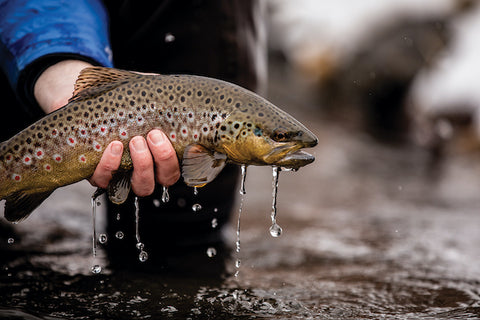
370,231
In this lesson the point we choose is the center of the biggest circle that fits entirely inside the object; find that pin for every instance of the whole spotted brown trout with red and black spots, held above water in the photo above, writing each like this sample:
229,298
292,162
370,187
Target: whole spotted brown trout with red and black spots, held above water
208,121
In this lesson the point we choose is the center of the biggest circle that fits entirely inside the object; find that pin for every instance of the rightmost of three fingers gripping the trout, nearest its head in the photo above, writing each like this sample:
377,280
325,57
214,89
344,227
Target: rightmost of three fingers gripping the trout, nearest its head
167,169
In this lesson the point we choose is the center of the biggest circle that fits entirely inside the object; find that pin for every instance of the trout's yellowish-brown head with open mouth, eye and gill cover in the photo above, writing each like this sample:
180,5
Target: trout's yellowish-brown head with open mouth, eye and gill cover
259,133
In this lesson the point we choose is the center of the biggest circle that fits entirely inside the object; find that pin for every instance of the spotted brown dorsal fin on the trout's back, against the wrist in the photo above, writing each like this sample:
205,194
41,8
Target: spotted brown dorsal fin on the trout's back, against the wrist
95,80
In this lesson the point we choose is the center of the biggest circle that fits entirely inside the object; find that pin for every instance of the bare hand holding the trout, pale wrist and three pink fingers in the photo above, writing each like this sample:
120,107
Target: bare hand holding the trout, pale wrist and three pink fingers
153,158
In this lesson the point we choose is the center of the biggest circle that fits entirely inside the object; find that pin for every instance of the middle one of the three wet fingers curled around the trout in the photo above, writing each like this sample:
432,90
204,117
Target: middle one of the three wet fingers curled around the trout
143,178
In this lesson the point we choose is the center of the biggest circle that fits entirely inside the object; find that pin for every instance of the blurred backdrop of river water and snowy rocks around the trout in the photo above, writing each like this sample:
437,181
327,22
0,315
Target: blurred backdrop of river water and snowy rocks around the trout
384,224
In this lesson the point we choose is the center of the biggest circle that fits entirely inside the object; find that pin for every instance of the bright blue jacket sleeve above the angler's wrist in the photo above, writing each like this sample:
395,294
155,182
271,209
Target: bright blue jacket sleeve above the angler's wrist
32,29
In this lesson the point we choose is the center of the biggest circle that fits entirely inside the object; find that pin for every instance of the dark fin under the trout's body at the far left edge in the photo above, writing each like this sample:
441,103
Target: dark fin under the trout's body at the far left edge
19,205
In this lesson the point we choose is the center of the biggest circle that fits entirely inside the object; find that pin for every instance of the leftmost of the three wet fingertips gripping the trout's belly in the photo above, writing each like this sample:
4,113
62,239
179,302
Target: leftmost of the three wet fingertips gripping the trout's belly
110,161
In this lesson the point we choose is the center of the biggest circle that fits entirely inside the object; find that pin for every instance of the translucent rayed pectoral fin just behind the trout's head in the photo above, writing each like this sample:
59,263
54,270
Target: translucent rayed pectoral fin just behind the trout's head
200,165
